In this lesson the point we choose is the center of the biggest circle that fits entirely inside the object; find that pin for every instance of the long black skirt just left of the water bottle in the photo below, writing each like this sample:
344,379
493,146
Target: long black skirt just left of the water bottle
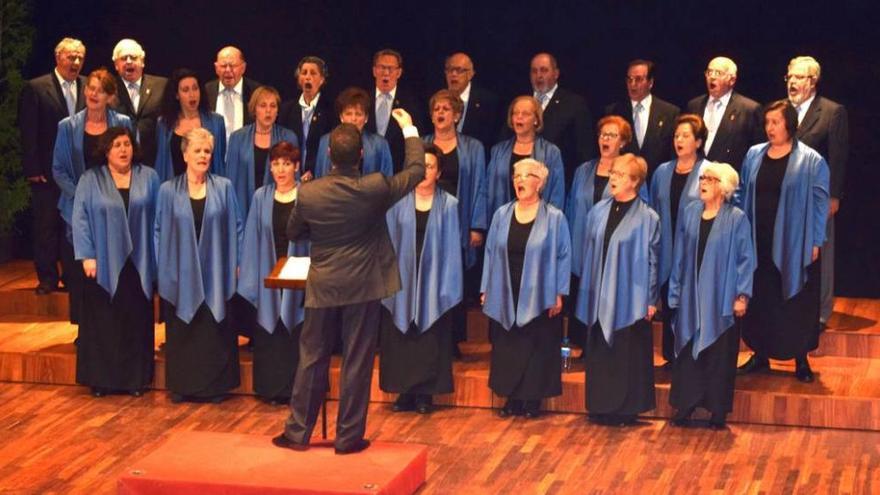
526,361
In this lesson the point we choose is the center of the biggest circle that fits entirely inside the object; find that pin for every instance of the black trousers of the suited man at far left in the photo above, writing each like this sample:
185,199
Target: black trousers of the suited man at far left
48,232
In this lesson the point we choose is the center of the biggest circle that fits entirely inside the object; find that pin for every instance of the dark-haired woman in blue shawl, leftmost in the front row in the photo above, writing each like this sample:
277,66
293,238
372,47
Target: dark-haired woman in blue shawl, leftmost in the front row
113,214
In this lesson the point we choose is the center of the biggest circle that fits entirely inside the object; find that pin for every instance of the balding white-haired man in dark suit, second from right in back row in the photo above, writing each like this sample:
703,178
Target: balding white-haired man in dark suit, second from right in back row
733,120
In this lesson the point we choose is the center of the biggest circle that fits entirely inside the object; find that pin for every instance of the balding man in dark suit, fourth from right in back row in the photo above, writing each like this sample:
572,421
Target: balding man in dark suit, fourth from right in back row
567,120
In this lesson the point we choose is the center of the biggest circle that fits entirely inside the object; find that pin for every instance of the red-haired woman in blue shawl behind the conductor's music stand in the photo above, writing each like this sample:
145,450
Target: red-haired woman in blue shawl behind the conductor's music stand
278,313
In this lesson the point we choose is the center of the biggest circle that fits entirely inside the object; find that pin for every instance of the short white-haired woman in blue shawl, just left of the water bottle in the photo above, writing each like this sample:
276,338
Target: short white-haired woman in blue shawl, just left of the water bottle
526,272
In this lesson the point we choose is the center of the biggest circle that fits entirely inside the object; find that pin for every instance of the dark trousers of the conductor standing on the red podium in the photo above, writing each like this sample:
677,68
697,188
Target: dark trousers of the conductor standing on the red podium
358,326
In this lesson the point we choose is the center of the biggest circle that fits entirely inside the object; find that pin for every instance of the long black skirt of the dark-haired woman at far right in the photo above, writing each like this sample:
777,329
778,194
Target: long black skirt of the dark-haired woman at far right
780,329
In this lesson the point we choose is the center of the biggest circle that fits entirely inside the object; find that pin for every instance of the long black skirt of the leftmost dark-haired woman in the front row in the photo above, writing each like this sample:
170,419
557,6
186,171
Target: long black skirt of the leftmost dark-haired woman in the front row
115,348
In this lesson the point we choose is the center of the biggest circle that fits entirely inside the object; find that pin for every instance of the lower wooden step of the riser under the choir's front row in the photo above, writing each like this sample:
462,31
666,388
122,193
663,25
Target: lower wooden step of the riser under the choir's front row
846,393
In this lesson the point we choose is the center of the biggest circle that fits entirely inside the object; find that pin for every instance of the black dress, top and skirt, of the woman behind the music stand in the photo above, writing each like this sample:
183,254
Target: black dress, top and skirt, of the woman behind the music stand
276,354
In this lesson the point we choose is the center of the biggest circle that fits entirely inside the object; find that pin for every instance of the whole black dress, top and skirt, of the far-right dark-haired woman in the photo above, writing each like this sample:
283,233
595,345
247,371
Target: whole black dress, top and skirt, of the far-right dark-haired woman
774,327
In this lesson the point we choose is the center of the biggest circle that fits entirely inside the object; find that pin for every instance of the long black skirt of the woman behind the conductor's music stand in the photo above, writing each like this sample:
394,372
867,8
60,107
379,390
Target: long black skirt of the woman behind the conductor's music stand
276,356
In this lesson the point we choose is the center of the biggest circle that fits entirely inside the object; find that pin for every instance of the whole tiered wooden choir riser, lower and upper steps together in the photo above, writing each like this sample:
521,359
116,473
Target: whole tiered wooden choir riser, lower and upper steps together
36,347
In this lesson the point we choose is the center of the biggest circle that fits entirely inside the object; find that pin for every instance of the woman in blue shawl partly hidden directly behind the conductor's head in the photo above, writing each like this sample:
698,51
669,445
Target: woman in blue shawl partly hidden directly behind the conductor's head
352,106
